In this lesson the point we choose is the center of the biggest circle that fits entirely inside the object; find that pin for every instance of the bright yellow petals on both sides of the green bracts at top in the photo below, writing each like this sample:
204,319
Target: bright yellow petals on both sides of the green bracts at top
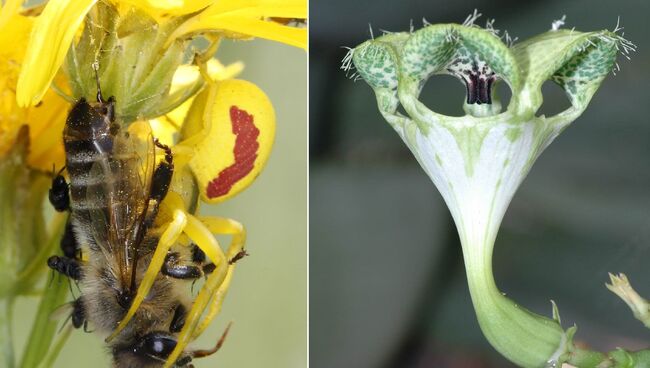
57,26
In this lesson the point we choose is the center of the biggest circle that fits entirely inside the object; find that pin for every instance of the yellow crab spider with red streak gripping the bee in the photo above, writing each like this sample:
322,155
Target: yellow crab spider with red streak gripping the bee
227,137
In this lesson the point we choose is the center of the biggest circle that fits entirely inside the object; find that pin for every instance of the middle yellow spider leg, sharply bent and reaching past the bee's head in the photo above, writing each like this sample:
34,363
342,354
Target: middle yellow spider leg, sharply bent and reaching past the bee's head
199,233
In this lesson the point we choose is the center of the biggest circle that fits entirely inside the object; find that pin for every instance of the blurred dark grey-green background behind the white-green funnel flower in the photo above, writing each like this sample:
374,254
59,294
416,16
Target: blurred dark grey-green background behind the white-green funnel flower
387,283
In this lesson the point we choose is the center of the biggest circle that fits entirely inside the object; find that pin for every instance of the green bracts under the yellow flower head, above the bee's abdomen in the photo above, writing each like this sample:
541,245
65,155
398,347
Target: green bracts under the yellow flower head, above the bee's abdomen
136,63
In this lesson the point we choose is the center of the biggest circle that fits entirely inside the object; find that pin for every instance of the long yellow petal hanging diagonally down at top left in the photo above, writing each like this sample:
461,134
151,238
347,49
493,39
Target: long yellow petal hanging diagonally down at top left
48,44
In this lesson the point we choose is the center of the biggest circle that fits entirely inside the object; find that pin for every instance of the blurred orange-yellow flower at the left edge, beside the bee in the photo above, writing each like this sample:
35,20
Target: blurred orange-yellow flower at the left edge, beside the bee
46,148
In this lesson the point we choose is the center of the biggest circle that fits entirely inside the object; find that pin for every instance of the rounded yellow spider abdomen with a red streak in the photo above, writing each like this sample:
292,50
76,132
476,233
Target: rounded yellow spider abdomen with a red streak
234,143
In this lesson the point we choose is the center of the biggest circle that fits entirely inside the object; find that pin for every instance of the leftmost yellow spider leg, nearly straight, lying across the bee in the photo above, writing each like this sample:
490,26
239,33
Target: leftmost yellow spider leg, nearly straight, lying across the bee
173,230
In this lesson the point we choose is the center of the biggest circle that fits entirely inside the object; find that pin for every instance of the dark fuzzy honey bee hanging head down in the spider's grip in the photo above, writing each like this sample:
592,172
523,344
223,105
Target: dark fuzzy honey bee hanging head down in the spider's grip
111,247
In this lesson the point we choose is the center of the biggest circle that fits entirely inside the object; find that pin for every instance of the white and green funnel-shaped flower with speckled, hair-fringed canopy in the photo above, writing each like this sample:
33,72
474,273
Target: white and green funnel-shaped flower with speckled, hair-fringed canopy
478,161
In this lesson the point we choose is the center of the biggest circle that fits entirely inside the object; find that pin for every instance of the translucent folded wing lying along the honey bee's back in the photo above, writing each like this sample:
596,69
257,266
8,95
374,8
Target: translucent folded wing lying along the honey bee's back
117,227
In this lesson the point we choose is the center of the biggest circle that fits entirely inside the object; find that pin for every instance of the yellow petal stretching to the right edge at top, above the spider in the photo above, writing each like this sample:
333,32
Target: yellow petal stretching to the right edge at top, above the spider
237,19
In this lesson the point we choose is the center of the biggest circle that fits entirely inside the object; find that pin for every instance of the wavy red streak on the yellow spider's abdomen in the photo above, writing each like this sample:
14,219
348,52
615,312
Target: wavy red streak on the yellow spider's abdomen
245,150
